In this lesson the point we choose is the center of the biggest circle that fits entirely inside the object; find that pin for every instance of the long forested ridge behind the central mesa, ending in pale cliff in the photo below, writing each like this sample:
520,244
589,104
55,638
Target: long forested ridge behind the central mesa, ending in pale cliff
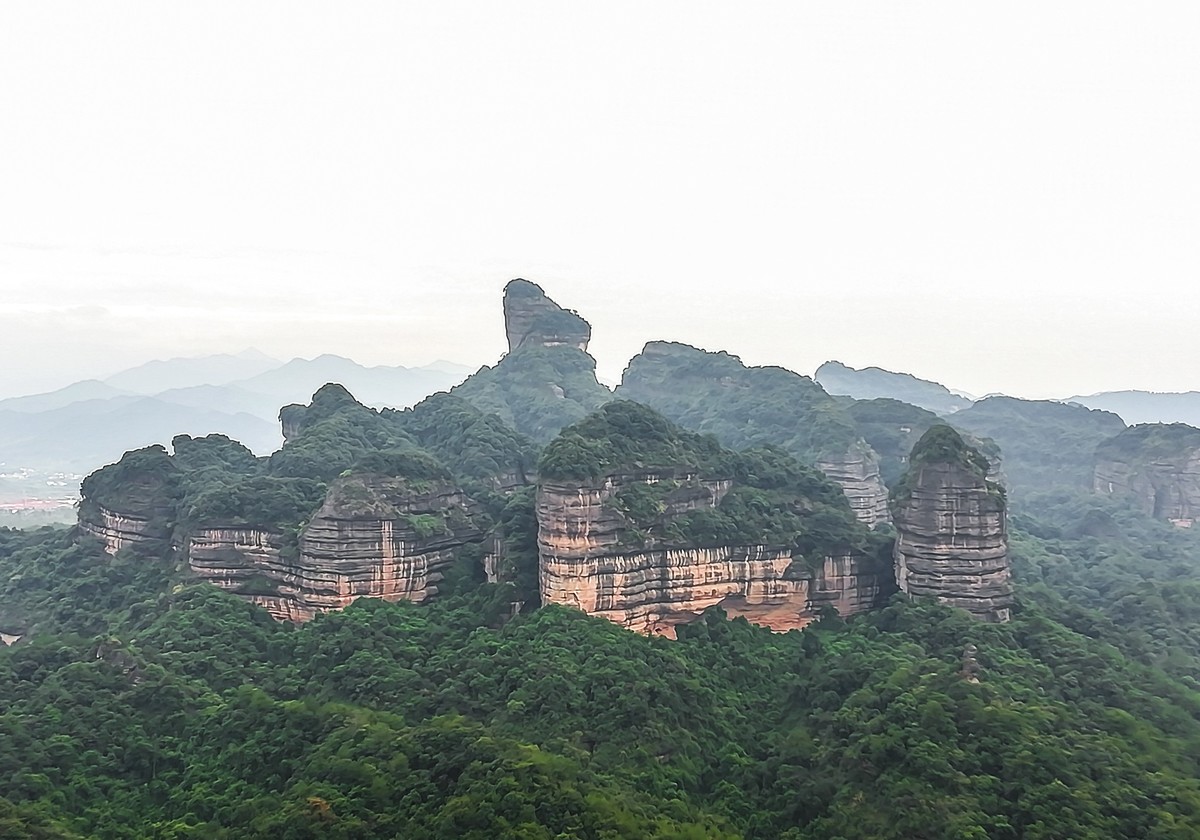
742,406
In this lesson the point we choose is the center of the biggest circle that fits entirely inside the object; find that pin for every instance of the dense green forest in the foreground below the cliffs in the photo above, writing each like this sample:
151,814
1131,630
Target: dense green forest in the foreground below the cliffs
147,706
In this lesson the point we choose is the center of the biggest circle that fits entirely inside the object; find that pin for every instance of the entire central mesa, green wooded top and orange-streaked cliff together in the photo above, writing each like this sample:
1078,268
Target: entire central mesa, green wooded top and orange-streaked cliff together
647,525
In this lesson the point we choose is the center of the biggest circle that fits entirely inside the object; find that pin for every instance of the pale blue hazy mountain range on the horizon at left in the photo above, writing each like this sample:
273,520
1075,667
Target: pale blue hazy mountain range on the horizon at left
88,424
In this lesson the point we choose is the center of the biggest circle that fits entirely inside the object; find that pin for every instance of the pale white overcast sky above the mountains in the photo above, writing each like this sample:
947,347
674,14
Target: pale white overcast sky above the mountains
1003,197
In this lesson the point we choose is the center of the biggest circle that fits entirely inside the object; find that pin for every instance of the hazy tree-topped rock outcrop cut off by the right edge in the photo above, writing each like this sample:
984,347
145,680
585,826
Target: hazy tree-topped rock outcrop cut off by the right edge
1156,467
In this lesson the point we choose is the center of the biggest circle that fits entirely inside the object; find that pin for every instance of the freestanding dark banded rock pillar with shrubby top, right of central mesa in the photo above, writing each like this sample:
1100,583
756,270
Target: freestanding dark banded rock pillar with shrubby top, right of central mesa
952,533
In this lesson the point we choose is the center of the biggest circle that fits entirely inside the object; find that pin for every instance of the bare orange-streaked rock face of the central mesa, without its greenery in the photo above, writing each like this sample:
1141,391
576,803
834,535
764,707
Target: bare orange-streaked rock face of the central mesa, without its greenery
592,560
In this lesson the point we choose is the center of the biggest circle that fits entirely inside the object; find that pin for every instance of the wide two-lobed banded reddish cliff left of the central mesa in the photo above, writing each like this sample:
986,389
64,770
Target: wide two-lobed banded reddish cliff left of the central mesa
374,538
